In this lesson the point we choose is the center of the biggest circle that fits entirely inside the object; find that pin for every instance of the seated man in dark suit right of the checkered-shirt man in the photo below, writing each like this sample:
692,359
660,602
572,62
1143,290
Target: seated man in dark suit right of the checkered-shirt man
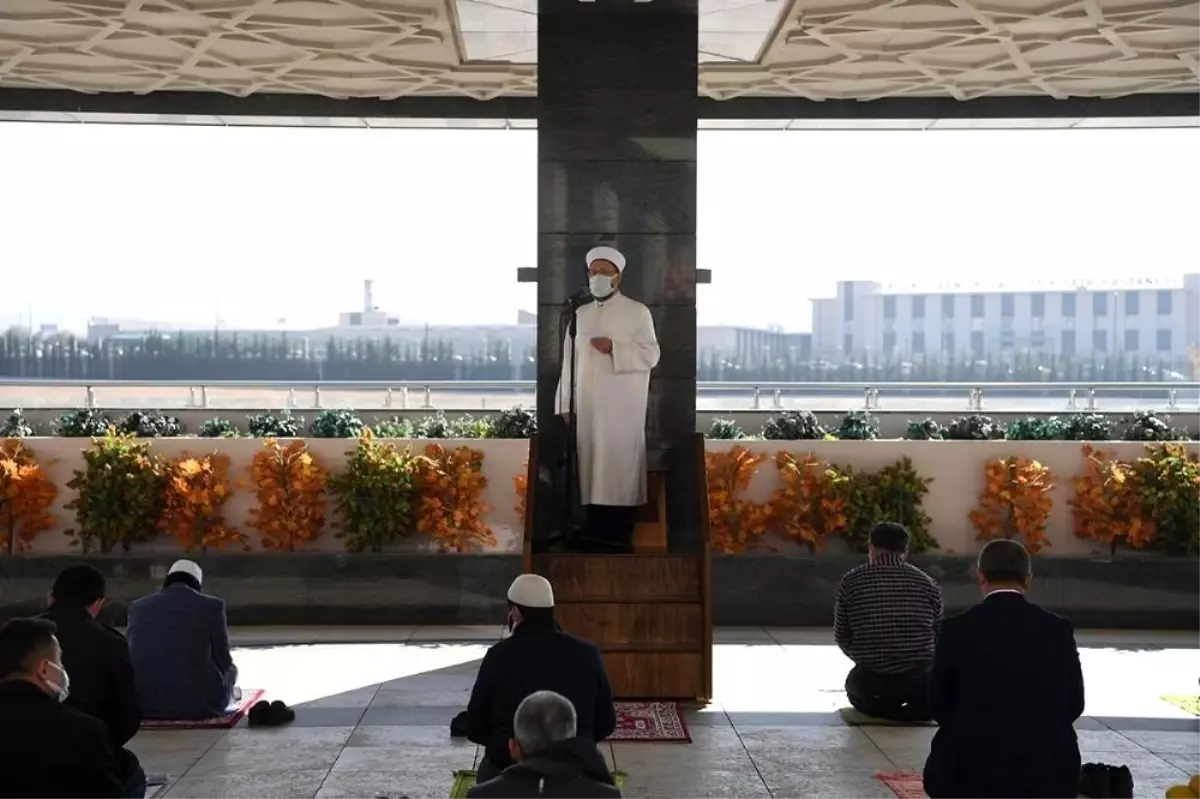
1006,690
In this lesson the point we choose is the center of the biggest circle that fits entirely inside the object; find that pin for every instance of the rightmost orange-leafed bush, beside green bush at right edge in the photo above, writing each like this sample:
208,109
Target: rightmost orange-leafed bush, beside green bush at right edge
1108,503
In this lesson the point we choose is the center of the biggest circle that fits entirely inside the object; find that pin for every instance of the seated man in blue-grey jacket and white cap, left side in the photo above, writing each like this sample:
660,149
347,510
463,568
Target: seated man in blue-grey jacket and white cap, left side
181,645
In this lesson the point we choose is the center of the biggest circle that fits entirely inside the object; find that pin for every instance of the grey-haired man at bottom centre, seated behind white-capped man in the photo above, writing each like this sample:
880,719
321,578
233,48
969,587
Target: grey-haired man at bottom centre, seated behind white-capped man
551,762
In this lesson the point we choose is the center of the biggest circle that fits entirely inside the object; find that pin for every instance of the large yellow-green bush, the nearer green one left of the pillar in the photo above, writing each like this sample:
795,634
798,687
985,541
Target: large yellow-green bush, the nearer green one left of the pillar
375,496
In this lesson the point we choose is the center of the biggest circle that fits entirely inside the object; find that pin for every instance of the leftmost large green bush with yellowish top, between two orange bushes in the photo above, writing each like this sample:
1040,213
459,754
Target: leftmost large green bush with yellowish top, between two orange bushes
119,495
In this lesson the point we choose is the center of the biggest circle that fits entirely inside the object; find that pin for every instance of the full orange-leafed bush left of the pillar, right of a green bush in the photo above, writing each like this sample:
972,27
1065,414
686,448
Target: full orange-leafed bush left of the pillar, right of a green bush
452,486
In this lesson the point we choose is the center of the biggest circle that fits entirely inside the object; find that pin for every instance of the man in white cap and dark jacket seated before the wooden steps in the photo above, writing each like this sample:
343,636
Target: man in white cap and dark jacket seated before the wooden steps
538,657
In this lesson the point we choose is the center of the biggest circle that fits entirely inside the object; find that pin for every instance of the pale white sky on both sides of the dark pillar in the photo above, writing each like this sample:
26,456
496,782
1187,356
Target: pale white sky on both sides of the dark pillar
251,226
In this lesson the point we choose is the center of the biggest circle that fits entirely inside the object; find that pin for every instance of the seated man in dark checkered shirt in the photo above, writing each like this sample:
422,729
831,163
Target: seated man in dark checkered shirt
886,621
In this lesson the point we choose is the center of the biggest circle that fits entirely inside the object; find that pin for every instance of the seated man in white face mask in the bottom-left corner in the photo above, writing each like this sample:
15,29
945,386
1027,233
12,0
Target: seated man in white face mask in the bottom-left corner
49,750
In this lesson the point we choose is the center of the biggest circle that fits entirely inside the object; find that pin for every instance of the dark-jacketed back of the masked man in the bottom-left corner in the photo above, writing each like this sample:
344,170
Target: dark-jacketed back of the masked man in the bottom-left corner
52,752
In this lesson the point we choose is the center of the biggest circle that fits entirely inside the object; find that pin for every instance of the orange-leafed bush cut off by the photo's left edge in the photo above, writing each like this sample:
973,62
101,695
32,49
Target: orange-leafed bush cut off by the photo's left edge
26,497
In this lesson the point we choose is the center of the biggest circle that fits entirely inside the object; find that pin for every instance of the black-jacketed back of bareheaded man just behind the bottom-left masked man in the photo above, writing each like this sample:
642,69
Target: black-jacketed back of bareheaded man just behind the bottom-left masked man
98,659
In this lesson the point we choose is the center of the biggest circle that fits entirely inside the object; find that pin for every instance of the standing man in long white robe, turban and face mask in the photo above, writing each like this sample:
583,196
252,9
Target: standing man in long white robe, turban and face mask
615,351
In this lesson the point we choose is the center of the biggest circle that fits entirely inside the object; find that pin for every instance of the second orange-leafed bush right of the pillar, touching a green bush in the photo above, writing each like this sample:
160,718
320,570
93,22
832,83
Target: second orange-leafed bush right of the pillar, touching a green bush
813,504
